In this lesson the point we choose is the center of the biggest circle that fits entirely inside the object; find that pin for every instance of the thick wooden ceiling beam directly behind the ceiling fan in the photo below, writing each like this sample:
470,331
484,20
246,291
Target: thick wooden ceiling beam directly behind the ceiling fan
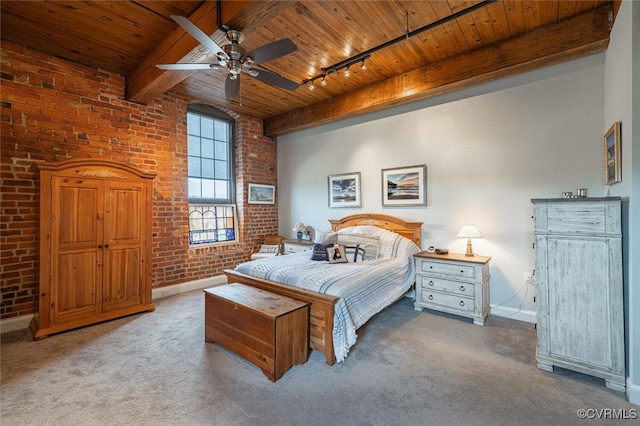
148,82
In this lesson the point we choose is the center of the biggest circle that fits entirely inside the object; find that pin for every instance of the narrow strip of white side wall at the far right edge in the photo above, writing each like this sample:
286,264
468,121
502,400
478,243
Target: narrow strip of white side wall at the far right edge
622,103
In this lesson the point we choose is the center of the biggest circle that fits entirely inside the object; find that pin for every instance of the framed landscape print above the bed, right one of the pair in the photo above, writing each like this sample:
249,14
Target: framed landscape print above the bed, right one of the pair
404,186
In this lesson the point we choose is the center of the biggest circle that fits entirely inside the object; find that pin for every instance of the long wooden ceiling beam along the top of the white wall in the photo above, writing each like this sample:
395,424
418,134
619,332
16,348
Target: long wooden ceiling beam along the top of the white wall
578,36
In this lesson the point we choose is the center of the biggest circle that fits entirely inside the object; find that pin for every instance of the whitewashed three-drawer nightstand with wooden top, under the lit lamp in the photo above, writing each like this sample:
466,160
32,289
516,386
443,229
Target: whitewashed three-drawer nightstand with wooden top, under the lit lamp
453,283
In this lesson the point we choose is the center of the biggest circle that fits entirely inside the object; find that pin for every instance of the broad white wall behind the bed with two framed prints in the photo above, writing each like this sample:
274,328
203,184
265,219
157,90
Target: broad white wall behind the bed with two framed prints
488,150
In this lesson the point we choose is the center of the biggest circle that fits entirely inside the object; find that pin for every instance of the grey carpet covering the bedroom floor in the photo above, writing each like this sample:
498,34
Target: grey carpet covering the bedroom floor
407,368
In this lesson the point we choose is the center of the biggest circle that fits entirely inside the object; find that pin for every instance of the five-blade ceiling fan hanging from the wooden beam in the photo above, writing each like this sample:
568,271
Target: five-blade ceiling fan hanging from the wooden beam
232,56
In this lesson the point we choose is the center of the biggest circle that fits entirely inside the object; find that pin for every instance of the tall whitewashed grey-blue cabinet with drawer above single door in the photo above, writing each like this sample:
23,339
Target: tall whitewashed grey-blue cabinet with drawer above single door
579,306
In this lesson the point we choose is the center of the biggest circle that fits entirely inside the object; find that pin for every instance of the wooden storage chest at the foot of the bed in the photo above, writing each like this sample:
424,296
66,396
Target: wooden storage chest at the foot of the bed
267,329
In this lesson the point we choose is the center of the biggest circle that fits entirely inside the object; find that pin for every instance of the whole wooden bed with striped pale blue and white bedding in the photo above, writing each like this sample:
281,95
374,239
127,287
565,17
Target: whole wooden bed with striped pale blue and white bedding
343,296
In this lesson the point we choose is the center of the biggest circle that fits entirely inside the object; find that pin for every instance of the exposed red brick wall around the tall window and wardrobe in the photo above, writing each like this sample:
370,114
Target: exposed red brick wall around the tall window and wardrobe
53,110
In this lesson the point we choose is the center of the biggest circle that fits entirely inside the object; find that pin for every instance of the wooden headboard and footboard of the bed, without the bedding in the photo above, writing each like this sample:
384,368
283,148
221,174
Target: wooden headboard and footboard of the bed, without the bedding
322,305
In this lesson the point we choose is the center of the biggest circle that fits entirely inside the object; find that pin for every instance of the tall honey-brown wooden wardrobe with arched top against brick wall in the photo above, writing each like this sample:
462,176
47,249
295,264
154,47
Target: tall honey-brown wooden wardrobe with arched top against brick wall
95,244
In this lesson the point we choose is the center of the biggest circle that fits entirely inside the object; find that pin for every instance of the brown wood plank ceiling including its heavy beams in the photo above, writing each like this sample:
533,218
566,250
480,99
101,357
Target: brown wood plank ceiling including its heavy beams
499,39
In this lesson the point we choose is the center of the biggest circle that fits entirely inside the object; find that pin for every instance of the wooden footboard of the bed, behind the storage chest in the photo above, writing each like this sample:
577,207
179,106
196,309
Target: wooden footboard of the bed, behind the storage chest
321,311
